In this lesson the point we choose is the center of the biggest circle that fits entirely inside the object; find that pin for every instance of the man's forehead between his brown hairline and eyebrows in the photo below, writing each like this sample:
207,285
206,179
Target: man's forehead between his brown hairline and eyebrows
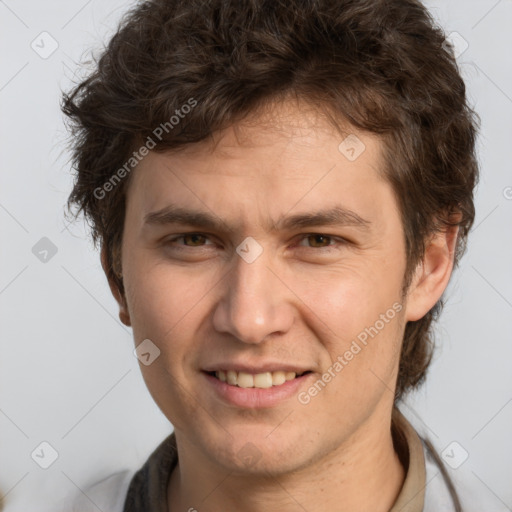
288,158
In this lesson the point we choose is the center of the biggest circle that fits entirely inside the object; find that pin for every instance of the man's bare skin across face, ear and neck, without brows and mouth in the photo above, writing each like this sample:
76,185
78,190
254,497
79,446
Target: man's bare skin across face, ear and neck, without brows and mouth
302,301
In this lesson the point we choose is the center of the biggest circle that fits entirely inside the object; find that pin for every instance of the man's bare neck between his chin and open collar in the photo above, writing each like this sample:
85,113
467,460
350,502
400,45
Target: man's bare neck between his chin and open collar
364,473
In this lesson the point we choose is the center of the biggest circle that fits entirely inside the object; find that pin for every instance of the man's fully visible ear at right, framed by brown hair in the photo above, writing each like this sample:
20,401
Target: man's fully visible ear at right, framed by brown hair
432,274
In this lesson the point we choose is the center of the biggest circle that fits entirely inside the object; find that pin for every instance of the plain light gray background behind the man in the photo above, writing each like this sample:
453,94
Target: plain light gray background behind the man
67,372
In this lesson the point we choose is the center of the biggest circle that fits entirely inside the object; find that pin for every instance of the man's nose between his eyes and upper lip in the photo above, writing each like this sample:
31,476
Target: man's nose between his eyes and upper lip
254,302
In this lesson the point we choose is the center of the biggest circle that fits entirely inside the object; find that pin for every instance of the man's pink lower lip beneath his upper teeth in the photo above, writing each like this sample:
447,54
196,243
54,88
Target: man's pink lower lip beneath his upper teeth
256,398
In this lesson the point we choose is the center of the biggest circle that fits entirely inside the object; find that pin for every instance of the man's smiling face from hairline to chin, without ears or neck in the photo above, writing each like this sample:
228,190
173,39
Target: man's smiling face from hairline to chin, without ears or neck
270,251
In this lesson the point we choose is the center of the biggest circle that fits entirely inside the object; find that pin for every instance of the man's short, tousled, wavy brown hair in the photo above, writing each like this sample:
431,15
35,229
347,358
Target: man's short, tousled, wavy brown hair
382,65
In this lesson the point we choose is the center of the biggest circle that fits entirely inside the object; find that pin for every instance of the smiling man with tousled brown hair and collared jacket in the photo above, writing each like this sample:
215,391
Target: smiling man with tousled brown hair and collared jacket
280,191
